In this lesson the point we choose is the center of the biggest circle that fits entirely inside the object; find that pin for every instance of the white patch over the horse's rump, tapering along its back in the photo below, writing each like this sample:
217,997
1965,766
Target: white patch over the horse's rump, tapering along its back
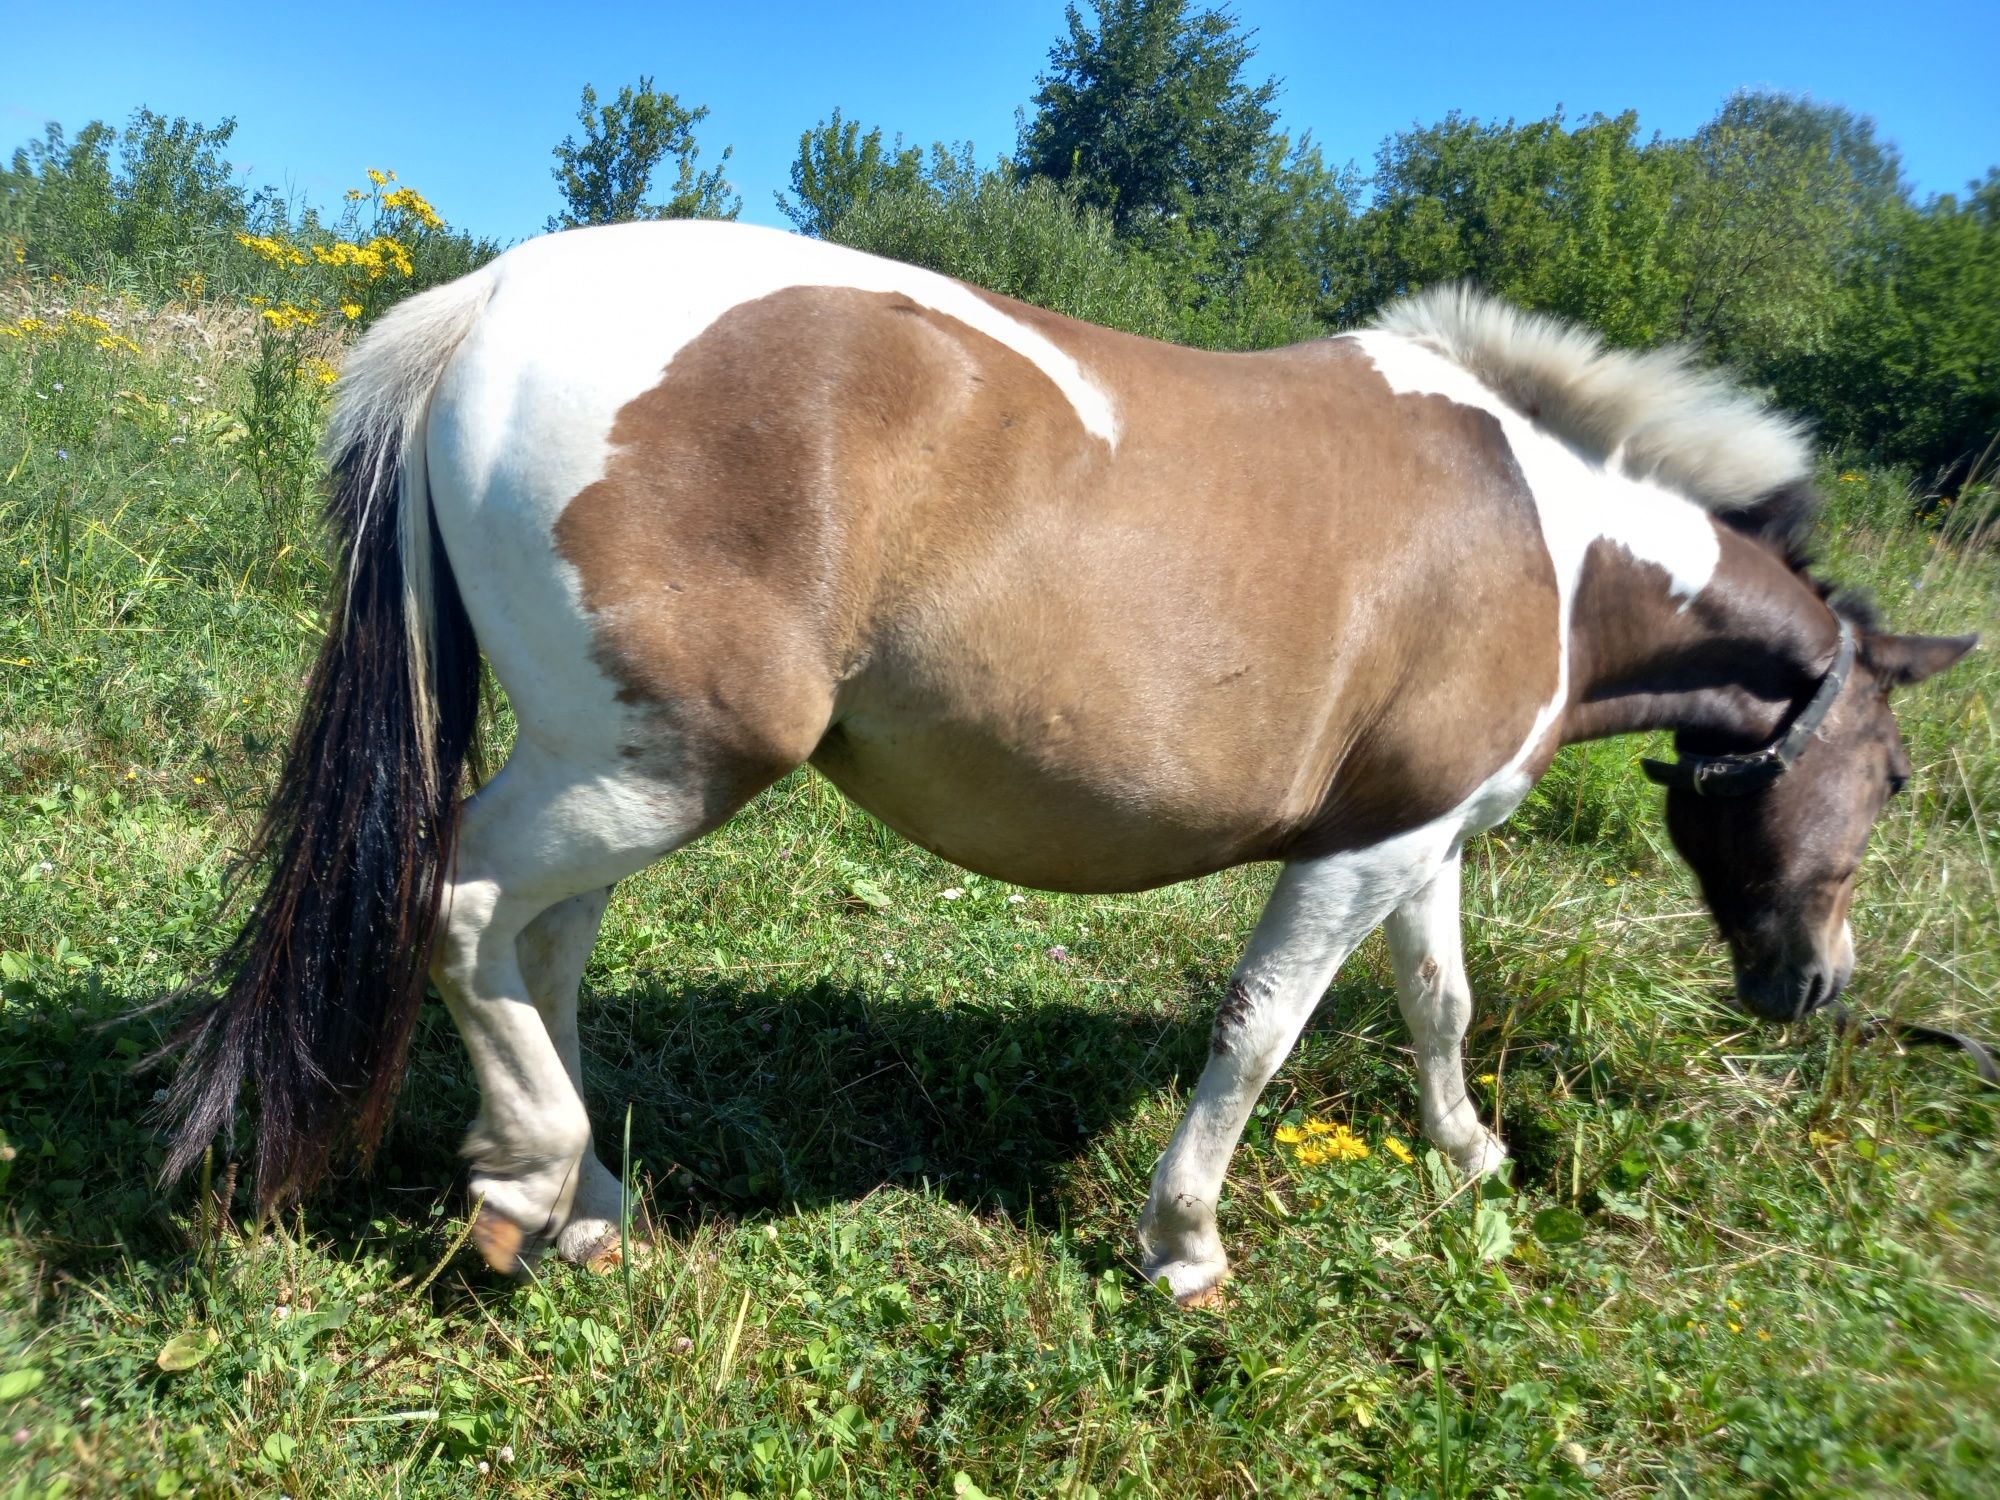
577,327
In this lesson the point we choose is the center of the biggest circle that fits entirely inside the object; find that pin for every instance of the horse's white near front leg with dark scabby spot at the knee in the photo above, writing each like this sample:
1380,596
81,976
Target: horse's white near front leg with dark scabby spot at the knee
1317,915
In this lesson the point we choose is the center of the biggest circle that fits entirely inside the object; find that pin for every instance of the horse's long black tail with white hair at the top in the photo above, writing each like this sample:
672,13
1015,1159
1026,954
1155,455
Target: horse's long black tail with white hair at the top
319,993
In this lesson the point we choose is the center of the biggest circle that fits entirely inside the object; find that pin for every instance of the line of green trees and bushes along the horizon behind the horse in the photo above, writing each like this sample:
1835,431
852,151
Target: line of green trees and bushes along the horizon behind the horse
1151,189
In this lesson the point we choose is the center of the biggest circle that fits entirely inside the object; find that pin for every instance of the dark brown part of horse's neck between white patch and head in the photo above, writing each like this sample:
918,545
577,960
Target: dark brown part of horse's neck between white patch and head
1723,669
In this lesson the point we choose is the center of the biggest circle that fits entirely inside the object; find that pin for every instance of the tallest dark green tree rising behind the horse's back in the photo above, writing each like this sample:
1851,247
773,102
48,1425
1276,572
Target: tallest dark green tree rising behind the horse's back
1149,117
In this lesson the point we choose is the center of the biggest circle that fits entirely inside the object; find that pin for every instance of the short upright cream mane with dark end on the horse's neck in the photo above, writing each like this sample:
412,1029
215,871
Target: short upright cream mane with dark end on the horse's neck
1653,415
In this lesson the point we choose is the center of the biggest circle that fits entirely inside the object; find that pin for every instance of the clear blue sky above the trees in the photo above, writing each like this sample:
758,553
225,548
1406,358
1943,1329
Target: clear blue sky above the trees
465,103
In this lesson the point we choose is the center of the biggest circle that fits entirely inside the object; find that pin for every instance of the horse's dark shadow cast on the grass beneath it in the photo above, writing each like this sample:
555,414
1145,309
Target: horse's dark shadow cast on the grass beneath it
741,1101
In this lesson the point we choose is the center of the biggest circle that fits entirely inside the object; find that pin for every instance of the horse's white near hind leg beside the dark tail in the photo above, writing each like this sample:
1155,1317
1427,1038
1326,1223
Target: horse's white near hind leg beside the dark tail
539,835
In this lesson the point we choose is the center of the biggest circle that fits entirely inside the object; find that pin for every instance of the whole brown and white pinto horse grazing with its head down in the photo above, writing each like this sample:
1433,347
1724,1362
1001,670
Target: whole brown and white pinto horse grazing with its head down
1069,607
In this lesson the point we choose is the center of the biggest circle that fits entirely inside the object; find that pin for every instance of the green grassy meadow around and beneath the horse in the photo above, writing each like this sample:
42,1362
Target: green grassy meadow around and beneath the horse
895,1137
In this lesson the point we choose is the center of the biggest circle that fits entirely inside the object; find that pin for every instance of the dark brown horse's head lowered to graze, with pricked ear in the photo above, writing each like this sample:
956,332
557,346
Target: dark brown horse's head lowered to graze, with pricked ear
1777,835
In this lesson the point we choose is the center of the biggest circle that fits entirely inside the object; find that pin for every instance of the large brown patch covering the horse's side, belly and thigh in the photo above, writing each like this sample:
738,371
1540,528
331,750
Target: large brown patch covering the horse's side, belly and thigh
1291,613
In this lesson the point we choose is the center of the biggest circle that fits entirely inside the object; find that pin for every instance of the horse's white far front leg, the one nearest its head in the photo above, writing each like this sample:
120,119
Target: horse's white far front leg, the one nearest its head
1437,1007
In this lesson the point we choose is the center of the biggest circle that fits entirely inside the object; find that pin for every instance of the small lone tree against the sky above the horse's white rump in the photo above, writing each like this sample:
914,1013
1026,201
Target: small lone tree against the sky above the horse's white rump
609,177
